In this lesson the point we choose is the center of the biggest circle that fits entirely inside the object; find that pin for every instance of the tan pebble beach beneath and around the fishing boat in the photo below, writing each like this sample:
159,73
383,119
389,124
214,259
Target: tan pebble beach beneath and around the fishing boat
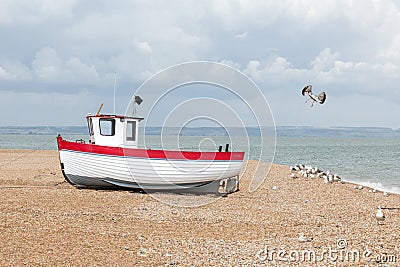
44,221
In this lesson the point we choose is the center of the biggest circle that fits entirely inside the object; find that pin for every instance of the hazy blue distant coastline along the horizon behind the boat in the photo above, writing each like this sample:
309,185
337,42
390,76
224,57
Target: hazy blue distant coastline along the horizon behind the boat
281,131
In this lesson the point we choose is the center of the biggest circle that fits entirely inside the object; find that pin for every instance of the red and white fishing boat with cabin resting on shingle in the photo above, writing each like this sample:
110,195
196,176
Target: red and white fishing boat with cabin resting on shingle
112,158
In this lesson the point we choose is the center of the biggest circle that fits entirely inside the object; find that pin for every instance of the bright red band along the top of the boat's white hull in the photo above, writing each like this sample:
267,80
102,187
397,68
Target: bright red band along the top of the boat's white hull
147,153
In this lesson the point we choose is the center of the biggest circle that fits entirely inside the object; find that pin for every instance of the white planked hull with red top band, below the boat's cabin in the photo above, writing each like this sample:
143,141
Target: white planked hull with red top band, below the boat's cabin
89,165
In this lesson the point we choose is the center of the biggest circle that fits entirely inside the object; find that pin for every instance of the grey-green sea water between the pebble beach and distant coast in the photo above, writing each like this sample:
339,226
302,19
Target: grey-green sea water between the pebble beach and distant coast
368,161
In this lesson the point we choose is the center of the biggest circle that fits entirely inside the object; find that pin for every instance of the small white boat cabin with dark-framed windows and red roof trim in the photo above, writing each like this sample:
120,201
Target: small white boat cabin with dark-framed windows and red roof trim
113,130
